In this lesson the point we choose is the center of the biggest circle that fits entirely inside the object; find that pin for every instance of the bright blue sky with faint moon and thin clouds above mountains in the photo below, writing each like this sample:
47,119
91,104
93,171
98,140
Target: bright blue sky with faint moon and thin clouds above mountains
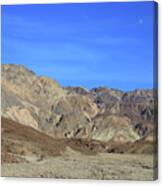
90,45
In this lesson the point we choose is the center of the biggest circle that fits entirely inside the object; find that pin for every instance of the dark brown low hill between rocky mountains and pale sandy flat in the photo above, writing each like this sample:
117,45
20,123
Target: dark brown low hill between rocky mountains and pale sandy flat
25,144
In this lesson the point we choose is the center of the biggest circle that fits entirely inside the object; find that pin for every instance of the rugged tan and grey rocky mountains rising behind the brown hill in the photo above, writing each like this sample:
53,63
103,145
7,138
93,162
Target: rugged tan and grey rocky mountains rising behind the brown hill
74,112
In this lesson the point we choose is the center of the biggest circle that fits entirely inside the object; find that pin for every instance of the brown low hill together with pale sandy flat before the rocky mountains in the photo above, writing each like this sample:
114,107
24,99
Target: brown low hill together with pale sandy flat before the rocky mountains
29,153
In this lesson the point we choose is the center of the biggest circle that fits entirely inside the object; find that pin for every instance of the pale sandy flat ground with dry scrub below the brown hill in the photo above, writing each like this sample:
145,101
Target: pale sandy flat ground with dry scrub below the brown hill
74,165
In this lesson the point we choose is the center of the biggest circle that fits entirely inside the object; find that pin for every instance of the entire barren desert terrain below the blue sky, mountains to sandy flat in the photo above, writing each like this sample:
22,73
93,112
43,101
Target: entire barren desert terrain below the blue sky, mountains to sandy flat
72,132
